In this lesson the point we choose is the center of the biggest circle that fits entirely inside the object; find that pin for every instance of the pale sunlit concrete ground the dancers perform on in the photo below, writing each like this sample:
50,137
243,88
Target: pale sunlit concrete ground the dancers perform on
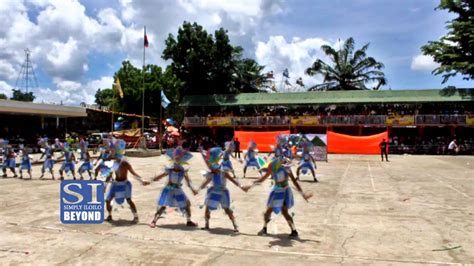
411,210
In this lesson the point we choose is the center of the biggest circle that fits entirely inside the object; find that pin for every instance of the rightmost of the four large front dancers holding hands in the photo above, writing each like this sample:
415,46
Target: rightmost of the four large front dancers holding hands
281,196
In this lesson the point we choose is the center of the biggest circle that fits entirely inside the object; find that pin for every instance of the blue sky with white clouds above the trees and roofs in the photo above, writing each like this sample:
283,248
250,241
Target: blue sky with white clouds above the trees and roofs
77,45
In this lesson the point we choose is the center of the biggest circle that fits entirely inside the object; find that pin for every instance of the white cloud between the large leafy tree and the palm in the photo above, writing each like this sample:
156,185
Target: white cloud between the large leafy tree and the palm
296,55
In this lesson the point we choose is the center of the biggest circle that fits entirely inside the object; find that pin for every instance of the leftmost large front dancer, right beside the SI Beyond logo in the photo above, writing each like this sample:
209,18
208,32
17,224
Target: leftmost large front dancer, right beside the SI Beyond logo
121,188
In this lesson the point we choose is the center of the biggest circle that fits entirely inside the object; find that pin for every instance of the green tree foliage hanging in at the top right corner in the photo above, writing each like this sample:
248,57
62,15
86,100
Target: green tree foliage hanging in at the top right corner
455,50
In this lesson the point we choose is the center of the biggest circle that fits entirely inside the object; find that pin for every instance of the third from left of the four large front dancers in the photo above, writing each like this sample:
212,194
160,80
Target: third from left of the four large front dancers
218,194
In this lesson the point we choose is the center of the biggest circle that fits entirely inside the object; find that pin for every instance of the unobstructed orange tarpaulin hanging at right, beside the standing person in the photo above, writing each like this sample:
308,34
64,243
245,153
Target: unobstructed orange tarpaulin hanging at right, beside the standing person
340,143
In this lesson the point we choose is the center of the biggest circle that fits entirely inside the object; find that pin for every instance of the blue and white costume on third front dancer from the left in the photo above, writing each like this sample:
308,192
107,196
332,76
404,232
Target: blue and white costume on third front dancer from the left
218,194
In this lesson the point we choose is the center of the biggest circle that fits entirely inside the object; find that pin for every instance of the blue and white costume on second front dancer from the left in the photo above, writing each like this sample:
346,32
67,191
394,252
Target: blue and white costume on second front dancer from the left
173,195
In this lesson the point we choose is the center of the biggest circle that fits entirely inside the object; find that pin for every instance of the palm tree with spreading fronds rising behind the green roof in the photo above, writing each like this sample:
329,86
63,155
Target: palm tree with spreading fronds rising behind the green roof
352,70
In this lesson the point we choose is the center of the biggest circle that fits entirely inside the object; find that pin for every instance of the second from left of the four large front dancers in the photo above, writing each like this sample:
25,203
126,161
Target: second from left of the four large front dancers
172,194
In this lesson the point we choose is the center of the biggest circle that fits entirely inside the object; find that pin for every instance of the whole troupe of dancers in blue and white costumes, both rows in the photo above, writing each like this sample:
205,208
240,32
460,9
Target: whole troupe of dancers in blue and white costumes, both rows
219,171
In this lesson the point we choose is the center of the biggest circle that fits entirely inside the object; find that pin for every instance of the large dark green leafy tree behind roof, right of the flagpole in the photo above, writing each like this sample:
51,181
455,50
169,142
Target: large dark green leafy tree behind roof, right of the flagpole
209,64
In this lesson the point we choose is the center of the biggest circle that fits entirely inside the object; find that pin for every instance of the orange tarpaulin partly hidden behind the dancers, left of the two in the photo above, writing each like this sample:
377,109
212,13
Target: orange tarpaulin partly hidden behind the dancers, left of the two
263,139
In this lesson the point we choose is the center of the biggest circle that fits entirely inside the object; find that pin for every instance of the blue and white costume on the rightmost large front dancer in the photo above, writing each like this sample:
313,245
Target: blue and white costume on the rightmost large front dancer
281,194
